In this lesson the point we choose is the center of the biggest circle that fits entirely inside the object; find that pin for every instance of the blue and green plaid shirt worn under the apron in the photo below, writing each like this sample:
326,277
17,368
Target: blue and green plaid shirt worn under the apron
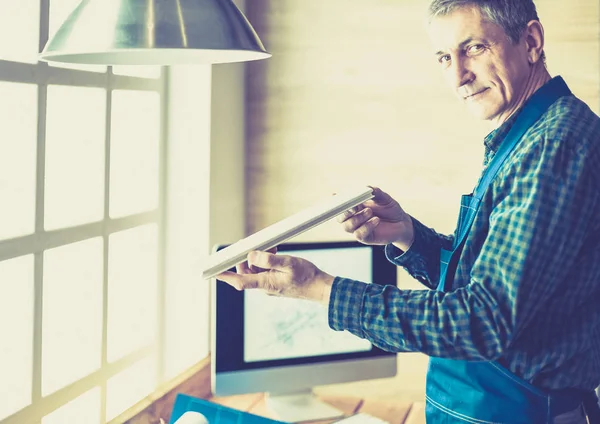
527,288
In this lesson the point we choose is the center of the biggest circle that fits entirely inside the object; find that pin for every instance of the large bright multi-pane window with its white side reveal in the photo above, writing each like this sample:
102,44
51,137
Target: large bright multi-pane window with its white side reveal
102,226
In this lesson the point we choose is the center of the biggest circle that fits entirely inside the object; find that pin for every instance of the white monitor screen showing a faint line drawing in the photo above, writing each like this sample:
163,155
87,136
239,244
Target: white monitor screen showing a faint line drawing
281,328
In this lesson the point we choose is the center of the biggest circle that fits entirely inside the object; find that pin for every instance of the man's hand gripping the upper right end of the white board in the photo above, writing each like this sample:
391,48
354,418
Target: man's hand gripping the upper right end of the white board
380,220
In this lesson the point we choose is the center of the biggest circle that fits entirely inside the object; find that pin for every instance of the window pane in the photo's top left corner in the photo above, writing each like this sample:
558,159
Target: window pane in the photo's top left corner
19,30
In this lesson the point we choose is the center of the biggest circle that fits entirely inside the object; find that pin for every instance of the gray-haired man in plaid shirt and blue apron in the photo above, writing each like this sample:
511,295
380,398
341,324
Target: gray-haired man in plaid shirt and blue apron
512,320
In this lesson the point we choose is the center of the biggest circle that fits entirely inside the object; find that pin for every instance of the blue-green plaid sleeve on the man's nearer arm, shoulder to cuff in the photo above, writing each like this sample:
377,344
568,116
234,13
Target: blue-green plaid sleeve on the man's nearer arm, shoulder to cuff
536,231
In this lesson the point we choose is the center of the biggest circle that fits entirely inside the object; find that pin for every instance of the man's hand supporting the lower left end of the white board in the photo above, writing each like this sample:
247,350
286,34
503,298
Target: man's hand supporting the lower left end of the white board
281,275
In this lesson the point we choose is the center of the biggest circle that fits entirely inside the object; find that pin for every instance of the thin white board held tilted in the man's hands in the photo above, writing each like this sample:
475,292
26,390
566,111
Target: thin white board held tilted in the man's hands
284,230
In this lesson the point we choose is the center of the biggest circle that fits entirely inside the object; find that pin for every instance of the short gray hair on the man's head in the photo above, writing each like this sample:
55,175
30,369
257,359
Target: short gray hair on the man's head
511,15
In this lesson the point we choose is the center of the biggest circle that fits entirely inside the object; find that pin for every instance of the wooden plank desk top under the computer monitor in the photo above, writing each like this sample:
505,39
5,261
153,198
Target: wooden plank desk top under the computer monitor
394,412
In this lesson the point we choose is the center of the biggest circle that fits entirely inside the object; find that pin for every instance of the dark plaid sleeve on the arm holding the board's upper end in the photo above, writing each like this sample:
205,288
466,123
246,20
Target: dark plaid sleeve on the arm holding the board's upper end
422,259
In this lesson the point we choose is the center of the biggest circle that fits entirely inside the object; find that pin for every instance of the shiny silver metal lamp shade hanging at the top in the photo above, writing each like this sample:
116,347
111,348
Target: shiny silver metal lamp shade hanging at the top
154,32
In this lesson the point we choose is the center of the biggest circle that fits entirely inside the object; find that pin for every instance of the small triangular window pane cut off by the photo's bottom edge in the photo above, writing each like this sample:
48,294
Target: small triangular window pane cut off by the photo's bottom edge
83,409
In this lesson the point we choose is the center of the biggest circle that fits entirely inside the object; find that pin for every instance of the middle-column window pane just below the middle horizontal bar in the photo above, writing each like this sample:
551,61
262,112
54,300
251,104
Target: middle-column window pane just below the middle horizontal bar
72,311
